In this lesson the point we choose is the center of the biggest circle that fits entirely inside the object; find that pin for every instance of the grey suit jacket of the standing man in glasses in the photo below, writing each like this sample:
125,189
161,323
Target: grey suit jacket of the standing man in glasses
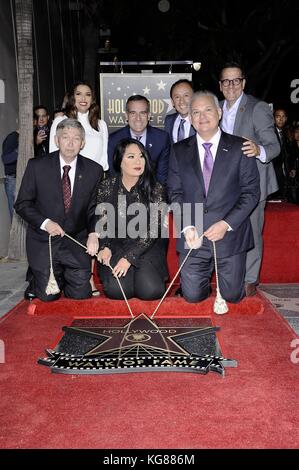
254,120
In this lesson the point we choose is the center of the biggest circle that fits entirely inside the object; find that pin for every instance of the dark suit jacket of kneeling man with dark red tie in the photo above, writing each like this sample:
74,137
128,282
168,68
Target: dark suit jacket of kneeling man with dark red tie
41,197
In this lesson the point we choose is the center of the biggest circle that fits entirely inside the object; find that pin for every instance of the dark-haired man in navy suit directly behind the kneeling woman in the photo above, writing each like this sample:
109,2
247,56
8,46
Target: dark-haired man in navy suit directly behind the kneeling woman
156,141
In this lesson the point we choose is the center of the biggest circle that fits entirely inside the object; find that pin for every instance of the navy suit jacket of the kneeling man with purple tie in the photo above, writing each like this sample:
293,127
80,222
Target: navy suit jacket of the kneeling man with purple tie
233,193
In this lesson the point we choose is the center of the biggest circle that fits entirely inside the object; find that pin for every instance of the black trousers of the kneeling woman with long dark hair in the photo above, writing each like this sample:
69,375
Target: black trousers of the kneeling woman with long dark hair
144,282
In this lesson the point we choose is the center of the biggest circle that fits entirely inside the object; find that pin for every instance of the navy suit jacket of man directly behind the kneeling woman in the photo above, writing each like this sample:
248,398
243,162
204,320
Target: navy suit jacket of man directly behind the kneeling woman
157,145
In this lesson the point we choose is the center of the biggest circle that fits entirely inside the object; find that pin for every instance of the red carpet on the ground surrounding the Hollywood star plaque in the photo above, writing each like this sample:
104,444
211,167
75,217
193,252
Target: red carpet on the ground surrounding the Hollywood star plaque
254,406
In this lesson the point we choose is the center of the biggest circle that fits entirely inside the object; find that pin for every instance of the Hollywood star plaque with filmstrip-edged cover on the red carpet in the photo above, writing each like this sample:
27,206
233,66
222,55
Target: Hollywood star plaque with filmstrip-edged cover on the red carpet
118,345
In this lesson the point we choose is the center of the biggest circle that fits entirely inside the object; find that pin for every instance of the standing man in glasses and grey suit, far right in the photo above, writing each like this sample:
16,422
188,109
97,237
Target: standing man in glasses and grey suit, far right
246,116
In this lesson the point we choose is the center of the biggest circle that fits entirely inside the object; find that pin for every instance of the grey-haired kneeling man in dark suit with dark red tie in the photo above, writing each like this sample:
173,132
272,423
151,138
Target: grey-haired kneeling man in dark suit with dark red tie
57,196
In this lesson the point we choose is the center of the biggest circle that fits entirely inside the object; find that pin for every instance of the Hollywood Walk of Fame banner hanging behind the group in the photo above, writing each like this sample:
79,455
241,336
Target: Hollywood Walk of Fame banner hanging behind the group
116,88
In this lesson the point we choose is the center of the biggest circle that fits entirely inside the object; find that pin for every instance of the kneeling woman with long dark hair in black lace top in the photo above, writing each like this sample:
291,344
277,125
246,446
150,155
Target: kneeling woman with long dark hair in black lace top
132,208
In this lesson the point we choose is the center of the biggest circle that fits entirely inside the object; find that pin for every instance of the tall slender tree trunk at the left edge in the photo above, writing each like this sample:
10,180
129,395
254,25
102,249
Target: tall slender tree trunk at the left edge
17,249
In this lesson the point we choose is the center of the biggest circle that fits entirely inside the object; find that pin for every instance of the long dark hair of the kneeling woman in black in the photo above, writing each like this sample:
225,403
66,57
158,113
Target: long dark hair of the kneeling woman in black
147,180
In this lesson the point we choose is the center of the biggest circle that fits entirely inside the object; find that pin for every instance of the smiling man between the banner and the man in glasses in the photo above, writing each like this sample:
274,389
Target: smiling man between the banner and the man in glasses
178,124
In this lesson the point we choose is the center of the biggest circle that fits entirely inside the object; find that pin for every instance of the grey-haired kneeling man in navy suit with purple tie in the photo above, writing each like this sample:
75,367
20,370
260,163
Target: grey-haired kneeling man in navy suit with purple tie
209,172
